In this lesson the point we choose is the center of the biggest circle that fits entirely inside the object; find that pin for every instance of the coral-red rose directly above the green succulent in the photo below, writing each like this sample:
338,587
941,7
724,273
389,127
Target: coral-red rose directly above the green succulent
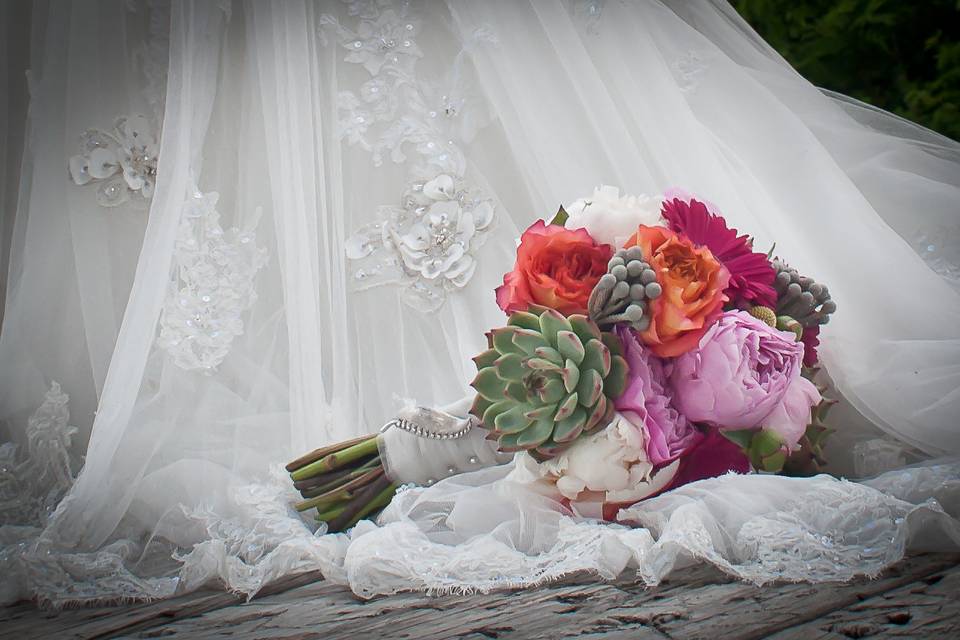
556,268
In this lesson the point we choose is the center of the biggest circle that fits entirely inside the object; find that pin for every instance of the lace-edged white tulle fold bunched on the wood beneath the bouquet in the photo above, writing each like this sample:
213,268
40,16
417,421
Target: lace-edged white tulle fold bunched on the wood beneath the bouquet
491,529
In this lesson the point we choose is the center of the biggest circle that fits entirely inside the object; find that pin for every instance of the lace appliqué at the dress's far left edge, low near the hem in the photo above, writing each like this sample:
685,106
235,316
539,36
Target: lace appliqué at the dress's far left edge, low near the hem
31,487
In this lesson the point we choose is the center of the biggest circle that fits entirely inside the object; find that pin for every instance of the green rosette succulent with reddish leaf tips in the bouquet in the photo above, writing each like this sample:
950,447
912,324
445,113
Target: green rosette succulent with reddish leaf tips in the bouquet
546,380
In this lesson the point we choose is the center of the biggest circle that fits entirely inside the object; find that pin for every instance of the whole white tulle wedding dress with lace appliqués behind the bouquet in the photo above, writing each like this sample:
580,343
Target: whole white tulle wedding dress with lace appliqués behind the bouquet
209,274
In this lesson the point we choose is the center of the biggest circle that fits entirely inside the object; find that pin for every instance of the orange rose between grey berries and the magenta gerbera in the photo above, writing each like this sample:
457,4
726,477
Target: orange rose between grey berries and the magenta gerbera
693,282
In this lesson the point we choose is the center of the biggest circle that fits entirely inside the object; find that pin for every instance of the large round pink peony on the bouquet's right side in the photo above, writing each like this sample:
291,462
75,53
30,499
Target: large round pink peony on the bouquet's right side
745,375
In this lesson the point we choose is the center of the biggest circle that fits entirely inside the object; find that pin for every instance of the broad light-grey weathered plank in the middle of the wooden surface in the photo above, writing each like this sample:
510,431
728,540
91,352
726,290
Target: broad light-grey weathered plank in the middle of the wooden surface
688,609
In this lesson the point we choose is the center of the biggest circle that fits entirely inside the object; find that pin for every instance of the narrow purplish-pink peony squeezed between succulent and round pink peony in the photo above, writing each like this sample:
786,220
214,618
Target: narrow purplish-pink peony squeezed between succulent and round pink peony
646,402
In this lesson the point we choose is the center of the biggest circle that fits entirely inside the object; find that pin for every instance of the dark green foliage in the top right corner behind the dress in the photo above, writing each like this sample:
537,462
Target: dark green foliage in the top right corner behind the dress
900,55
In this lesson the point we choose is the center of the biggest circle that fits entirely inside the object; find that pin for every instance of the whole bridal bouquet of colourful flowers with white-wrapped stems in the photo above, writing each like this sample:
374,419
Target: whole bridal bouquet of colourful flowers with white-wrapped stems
647,345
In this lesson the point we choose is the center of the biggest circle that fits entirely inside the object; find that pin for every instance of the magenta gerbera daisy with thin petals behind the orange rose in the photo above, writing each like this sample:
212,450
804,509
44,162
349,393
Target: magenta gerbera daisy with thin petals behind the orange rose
751,276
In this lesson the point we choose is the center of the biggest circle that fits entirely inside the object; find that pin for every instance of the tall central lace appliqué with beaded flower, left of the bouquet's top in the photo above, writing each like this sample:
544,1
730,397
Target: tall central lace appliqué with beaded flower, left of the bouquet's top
428,243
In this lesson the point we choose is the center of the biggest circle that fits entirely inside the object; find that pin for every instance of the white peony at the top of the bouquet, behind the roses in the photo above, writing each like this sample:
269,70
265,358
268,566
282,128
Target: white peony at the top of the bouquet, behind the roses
611,219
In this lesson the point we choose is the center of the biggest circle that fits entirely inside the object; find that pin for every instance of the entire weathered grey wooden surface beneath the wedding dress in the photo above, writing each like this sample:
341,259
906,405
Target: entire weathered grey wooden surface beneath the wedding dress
703,604
